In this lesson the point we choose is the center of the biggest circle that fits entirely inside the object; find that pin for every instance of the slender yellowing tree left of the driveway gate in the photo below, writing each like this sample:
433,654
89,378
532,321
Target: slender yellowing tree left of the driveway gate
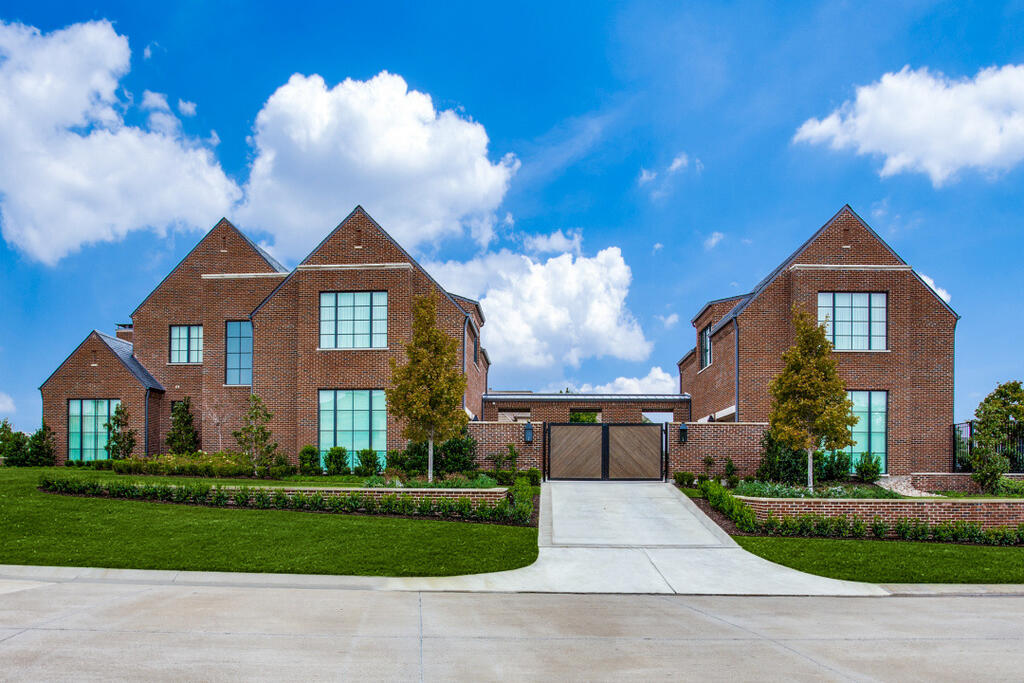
429,389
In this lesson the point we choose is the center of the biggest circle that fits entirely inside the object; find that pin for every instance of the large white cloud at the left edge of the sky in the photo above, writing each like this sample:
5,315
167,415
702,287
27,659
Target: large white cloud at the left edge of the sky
73,174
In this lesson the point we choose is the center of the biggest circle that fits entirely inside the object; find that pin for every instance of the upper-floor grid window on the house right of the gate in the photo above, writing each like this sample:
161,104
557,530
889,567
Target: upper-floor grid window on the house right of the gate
855,321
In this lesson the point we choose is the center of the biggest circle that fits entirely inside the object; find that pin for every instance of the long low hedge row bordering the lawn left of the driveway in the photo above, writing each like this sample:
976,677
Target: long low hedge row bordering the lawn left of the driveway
518,509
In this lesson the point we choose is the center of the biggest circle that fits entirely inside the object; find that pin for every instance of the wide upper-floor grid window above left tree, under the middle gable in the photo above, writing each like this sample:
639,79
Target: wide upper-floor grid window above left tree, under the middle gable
354,320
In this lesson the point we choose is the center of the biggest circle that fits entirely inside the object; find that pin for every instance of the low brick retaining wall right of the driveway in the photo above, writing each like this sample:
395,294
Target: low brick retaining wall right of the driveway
989,514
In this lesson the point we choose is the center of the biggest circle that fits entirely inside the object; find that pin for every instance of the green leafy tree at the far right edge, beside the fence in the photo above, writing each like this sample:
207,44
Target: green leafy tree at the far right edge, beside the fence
999,418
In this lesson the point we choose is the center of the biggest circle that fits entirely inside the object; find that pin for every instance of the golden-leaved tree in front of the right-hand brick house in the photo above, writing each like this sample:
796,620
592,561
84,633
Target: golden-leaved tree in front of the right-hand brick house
810,409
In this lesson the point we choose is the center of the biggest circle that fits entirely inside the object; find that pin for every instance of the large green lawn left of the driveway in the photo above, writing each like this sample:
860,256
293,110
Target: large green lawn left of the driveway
45,529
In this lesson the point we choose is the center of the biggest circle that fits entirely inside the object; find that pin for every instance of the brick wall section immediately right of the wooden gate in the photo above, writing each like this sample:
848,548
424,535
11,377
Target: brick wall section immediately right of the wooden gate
740,441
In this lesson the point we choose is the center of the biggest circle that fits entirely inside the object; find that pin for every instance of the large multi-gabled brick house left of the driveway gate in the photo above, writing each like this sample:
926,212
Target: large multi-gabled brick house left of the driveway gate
230,321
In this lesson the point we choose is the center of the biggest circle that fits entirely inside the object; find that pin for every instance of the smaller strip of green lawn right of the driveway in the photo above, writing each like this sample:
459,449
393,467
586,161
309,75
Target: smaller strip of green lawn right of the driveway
892,562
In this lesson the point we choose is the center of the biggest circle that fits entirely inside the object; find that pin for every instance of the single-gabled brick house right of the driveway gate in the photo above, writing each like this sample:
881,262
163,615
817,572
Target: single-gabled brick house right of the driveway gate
893,338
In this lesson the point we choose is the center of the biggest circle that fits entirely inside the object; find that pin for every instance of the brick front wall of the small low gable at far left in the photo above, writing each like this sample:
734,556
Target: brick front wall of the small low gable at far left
93,372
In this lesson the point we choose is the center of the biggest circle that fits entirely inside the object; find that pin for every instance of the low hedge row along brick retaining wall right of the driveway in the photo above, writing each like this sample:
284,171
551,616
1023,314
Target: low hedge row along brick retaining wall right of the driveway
856,528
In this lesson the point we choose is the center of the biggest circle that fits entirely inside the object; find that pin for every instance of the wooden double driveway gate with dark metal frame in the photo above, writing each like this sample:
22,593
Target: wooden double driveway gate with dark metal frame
623,452
